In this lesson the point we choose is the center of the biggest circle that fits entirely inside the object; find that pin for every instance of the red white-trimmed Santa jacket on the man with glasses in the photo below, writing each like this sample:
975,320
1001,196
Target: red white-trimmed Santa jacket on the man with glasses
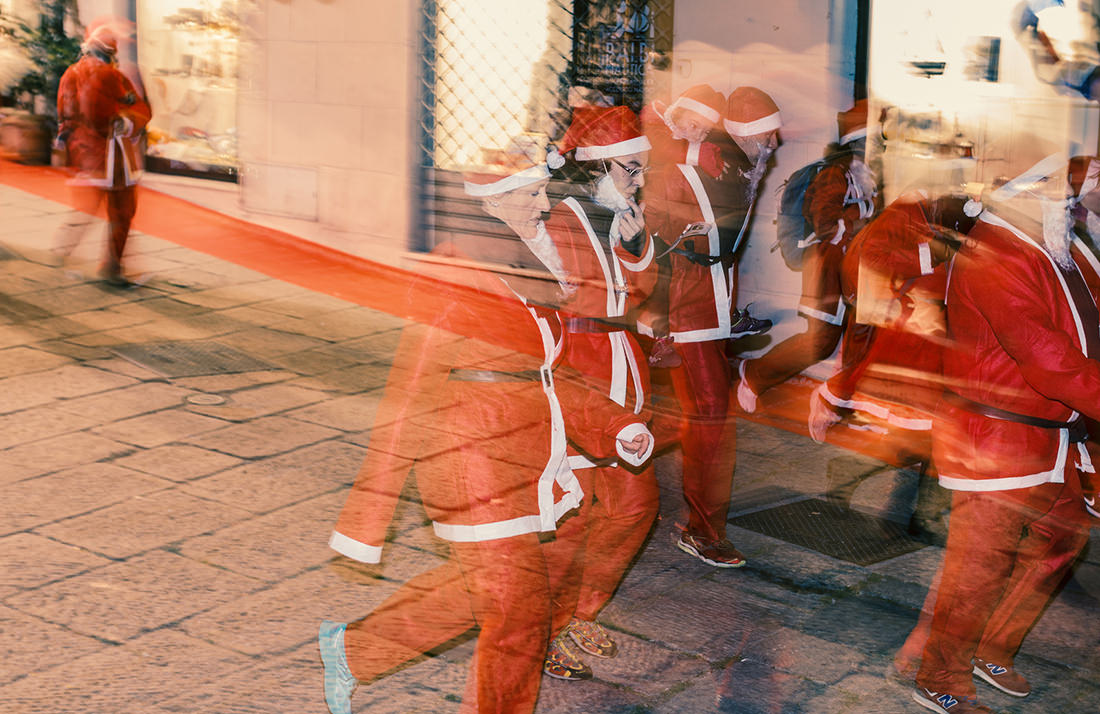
608,284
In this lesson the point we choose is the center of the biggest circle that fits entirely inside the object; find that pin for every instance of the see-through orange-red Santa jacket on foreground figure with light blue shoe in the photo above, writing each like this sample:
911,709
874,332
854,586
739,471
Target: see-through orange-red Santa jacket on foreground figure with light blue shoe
475,402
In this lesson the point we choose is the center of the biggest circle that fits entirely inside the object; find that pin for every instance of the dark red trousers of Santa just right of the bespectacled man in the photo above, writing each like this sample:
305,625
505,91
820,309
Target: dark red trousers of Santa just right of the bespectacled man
709,438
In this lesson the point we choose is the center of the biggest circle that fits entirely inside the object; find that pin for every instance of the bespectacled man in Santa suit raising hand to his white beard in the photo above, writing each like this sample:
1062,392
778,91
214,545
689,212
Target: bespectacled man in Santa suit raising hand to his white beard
609,258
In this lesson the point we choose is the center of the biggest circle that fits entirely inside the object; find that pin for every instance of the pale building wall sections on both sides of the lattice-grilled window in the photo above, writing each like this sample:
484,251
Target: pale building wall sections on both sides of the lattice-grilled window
329,105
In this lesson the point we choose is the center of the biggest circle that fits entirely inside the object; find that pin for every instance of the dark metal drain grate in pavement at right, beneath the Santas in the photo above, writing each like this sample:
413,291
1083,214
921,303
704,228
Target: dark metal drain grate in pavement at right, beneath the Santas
834,531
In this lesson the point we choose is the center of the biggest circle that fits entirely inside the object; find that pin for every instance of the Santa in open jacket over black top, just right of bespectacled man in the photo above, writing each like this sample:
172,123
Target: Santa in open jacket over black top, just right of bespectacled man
699,222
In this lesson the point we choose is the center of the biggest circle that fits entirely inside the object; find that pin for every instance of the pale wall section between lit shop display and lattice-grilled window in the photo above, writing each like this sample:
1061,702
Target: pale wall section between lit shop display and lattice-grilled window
327,111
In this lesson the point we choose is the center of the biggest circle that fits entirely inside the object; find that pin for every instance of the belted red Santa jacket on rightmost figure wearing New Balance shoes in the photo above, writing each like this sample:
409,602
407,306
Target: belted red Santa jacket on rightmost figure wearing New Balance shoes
1019,344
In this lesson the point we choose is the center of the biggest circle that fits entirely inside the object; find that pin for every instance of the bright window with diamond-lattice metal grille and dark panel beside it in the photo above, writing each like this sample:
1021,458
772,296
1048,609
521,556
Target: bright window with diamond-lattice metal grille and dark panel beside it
501,75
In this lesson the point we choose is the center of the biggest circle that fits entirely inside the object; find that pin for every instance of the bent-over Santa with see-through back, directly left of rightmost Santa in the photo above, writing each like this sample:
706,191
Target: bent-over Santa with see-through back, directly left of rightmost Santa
890,380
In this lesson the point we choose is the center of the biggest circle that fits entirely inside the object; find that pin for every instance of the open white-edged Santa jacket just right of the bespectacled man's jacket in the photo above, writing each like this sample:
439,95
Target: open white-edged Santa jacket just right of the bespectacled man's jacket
701,299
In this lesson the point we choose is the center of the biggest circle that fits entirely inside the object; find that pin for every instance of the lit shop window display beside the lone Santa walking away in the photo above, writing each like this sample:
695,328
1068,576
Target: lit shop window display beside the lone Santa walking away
188,51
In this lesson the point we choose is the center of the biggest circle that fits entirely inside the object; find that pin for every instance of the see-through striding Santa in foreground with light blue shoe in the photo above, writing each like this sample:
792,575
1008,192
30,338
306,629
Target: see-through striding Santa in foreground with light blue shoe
476,402
